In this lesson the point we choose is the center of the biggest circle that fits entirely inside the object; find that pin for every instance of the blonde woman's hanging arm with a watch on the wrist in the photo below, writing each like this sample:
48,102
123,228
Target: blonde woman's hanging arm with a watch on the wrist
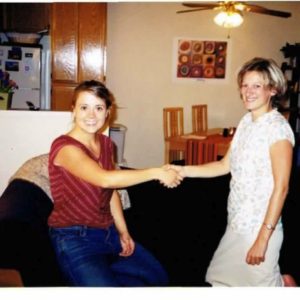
281,158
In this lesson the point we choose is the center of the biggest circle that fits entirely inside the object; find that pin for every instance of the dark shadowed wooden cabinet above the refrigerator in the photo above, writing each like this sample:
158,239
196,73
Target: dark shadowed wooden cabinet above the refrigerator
25,17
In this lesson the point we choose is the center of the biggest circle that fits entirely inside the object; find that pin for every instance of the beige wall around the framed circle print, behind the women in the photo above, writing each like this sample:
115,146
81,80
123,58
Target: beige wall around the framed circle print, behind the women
139,67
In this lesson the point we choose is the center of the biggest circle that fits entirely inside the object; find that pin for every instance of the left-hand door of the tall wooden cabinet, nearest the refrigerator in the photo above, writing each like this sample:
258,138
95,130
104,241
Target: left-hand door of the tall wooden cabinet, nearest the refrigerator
64,42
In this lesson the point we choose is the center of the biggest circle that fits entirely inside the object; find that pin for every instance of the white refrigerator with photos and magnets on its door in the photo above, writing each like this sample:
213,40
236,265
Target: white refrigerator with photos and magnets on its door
26,66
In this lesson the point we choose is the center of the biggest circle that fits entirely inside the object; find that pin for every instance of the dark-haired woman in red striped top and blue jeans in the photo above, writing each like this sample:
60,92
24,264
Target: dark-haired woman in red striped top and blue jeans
87,225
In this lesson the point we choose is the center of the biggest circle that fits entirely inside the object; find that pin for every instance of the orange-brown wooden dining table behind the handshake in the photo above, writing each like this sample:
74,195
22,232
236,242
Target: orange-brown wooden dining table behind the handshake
212,135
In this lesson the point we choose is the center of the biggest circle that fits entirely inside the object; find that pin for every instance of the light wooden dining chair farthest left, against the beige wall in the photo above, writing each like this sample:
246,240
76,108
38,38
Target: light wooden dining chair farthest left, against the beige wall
173,126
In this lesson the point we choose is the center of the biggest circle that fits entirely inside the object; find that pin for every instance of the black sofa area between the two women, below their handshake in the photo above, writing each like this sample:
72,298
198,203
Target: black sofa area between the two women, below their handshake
181,226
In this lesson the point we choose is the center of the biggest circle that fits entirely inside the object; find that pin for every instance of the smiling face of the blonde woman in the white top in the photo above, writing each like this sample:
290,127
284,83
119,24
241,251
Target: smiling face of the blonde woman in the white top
256,93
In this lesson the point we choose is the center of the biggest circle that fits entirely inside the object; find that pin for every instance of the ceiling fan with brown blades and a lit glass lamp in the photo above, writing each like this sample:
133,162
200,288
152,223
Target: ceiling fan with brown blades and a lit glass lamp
231,12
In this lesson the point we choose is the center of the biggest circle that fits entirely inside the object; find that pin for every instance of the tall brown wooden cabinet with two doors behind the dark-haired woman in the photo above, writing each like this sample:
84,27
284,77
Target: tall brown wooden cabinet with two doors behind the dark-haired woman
78,32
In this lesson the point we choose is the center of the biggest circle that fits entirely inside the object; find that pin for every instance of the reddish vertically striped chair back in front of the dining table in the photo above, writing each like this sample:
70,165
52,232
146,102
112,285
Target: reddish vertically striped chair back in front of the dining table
200,151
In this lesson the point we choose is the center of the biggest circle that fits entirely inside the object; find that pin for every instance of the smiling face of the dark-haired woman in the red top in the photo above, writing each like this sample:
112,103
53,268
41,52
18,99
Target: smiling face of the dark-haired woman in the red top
90,112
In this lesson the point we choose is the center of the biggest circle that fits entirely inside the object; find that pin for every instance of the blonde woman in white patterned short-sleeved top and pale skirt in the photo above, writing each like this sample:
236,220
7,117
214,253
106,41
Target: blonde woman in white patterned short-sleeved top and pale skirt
259,160
